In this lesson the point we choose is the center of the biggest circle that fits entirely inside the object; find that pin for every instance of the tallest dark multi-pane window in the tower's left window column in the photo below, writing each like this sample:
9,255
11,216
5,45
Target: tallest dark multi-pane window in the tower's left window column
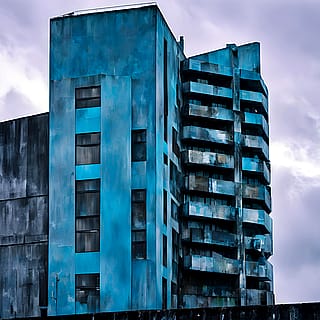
88,215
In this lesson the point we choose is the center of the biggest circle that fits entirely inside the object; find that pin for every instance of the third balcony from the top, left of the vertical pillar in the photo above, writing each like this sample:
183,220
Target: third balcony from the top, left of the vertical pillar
211,112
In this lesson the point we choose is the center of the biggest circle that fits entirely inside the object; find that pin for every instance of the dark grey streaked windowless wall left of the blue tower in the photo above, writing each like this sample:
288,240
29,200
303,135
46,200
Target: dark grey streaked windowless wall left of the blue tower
23,216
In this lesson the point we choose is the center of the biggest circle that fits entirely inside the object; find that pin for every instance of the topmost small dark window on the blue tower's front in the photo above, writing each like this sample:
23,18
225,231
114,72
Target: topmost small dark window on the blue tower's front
88,97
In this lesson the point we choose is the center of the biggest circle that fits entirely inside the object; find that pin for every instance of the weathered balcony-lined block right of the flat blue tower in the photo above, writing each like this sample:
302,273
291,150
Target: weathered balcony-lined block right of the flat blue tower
226,228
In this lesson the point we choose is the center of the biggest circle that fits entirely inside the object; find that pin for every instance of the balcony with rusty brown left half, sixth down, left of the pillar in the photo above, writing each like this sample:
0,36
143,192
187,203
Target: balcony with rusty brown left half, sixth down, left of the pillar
209,185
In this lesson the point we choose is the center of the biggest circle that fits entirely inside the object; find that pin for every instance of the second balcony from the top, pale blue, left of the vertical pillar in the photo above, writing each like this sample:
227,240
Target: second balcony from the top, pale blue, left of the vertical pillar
192,87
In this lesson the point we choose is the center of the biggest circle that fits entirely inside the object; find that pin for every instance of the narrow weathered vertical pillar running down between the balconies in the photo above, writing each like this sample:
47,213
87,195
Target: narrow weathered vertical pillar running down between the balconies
238,171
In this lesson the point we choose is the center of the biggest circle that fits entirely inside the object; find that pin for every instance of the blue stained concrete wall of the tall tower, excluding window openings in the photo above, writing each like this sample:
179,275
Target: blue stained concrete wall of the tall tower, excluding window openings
123,52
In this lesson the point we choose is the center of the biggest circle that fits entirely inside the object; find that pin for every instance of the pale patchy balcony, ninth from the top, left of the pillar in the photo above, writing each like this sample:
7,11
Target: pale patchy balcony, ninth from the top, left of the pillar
217,264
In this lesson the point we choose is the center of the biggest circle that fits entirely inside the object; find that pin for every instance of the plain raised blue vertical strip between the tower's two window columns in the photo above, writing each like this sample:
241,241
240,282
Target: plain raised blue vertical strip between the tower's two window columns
115,248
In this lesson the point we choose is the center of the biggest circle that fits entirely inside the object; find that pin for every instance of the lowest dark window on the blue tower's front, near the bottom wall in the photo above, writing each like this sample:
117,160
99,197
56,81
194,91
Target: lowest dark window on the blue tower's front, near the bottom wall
88,290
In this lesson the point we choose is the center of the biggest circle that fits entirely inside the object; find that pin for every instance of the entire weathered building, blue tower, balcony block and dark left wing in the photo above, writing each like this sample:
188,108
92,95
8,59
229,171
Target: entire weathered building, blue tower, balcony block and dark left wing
149,184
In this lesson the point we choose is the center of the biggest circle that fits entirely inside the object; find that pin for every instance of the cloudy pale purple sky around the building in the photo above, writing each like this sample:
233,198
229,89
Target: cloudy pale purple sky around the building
288,31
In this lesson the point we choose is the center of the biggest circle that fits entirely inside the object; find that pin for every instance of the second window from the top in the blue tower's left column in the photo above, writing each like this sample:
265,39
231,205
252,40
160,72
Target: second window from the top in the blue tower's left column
88,148
